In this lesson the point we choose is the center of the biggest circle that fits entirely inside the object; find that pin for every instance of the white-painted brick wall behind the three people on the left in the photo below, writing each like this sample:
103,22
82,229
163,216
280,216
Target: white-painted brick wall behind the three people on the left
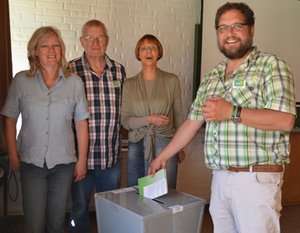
172,21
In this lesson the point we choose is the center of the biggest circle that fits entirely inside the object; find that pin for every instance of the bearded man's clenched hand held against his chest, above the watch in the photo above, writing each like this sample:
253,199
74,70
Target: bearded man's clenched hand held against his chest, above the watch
216,109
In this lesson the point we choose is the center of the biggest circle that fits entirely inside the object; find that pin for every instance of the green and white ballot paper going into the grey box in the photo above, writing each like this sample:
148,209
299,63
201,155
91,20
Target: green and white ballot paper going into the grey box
153,186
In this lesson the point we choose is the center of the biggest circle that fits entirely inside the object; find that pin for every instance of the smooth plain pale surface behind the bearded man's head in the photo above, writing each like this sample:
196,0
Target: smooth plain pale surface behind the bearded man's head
277,31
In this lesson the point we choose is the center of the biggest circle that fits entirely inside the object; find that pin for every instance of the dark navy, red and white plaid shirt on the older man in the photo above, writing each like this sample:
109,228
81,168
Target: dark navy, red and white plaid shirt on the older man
104,99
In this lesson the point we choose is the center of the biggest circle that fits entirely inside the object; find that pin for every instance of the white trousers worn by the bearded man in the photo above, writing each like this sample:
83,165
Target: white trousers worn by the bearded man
246,202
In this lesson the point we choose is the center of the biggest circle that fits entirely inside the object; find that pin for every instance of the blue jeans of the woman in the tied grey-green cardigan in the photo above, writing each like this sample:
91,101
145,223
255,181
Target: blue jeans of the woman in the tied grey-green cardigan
137,166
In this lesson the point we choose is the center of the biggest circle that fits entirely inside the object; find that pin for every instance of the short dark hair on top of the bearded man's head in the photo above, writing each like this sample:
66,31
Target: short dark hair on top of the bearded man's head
241,7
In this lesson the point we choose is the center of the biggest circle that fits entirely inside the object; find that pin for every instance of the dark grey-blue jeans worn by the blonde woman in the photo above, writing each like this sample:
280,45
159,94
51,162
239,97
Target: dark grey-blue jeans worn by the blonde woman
45,193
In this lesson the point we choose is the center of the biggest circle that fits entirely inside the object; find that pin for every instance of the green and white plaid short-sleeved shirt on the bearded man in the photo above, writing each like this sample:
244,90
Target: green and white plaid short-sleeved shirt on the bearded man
261,81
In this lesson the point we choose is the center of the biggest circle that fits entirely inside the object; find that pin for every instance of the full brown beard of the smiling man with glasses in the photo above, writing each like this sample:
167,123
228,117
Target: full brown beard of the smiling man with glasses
239,52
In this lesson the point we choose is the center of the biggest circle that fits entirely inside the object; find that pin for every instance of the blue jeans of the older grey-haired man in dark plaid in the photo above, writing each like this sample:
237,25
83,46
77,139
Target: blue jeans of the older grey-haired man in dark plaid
82,191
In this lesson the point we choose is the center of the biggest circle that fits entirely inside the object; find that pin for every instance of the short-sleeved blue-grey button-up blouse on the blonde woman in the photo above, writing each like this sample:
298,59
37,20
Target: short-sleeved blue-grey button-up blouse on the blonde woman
46,134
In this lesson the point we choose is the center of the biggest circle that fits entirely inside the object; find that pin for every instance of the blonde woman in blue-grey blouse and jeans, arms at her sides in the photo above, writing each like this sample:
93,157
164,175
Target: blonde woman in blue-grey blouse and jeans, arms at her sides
49,98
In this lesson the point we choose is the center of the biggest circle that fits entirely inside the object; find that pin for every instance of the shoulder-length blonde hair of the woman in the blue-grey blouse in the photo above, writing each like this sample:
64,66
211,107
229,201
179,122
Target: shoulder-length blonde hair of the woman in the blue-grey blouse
36,40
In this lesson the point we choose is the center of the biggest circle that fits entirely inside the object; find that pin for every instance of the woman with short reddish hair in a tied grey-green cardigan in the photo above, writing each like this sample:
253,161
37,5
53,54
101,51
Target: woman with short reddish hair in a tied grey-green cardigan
151,111
